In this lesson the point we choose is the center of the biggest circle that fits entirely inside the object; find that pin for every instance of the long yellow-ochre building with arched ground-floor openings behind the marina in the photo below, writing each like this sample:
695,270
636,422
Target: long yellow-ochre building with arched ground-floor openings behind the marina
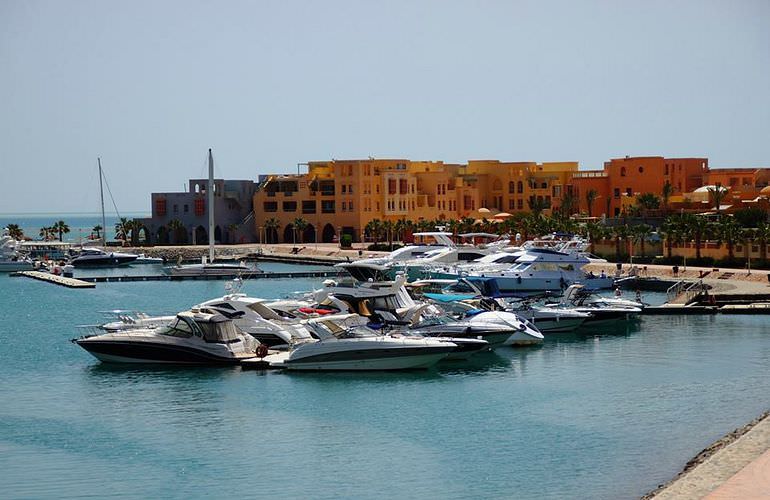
341,196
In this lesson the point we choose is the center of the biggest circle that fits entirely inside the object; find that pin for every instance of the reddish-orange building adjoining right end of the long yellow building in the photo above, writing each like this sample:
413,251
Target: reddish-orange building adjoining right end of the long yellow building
624,178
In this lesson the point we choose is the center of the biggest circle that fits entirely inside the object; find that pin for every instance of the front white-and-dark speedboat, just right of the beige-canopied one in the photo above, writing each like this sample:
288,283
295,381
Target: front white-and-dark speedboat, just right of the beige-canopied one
345,343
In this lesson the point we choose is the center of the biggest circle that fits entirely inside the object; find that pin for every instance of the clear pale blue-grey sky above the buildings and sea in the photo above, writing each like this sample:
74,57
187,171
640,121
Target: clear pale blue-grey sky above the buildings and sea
149,86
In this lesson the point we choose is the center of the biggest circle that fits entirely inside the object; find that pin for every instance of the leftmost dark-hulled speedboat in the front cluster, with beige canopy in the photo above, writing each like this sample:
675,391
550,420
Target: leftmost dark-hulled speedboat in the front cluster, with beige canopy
194,337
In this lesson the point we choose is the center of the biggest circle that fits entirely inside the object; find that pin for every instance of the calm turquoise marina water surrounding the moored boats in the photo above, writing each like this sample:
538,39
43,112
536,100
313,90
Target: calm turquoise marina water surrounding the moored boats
607,415
